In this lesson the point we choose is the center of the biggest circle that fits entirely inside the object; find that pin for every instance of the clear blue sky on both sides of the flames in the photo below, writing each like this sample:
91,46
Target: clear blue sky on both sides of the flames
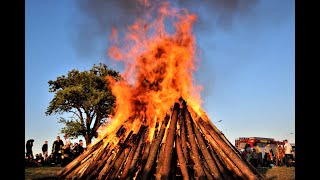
247,63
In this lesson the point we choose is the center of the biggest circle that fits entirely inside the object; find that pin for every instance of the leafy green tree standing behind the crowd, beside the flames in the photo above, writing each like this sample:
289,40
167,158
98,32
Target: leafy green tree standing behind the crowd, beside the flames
86,96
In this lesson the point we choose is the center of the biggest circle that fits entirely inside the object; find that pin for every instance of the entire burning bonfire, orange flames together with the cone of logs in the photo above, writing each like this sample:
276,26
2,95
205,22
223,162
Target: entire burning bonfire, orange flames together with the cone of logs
159,130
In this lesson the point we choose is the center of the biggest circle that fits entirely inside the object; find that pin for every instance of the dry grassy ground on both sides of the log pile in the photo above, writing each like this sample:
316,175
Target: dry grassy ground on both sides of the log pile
48,173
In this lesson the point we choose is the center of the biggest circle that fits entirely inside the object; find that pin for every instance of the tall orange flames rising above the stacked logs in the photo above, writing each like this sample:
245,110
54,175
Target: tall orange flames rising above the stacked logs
159,56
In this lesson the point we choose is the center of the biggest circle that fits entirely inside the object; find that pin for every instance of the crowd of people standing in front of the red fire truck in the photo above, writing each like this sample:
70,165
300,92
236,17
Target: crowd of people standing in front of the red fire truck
281,155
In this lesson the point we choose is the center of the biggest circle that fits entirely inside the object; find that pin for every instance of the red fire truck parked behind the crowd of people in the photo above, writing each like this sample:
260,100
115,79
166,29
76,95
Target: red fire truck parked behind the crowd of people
261,142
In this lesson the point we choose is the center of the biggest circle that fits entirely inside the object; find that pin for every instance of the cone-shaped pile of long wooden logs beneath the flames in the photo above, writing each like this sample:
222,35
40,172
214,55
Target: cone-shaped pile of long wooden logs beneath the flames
185,146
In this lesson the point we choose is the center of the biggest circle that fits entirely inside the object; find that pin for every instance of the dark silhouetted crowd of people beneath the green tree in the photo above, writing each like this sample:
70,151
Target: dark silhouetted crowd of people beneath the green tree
61,153
